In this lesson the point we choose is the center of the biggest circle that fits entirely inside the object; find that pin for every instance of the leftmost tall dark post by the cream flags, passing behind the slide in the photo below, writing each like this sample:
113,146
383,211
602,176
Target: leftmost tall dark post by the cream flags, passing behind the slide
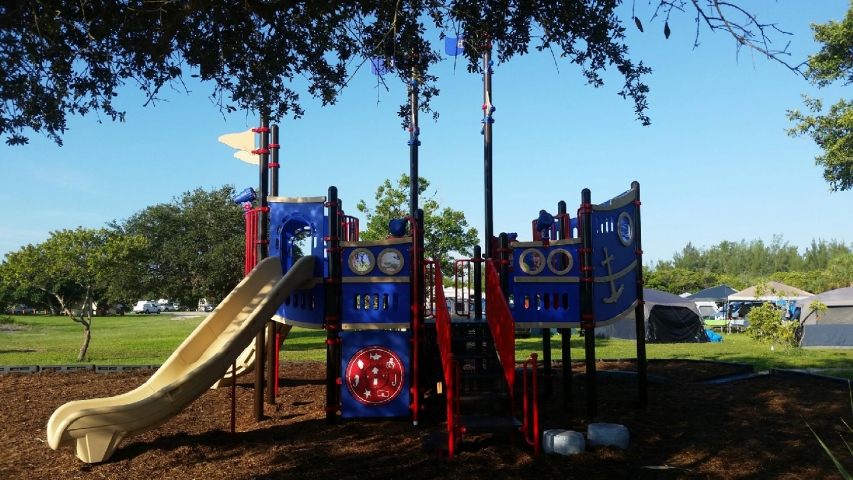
263,250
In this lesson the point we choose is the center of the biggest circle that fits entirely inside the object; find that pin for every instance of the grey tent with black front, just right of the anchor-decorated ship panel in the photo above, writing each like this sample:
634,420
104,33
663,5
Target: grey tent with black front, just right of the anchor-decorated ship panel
669,319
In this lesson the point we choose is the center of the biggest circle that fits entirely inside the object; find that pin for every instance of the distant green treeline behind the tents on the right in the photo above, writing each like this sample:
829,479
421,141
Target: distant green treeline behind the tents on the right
825,265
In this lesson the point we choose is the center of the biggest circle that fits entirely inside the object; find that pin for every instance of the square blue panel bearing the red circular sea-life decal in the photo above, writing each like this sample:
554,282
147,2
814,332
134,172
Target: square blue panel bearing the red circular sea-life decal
375,374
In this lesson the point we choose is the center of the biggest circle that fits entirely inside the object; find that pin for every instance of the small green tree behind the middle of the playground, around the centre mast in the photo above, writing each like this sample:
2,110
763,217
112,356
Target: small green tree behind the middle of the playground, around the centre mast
446,231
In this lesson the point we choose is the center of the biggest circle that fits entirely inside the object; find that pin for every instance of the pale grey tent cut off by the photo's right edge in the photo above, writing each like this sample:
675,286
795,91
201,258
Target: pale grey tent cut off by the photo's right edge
834,329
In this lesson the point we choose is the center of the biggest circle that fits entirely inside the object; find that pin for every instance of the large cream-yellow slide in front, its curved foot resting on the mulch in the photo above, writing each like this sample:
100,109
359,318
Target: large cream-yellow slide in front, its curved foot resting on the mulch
95,427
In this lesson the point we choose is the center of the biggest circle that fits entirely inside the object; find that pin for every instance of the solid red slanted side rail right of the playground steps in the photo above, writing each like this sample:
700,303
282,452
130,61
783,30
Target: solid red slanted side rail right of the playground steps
500,323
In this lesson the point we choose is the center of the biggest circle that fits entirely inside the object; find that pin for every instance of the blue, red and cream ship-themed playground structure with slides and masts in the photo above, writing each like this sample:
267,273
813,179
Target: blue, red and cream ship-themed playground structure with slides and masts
391,342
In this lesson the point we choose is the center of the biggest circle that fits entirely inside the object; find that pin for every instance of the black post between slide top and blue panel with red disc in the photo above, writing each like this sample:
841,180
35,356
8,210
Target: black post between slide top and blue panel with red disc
333,307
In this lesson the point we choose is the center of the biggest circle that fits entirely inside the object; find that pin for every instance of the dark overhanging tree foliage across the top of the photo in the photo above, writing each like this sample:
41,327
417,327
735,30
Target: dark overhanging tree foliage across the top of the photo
60,58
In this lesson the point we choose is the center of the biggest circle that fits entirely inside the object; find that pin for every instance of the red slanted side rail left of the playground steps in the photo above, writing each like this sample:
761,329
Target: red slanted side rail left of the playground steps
449,365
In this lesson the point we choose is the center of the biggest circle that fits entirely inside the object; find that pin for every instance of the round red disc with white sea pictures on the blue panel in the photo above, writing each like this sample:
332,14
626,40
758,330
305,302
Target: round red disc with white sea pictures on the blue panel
375,375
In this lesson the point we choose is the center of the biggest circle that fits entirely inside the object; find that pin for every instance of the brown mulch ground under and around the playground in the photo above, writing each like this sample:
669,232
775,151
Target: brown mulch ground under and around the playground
756,428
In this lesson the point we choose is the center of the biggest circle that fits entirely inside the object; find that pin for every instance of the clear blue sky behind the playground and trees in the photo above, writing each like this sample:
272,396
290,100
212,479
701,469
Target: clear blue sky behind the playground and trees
714,165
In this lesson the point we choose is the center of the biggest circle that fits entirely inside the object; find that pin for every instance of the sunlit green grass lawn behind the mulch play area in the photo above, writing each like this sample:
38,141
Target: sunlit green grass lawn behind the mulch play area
150,339
